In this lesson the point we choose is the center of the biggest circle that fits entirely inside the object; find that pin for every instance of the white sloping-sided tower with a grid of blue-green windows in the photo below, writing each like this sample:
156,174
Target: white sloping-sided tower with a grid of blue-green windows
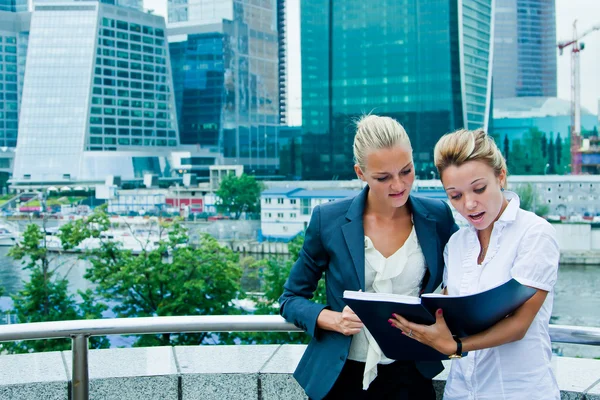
97,97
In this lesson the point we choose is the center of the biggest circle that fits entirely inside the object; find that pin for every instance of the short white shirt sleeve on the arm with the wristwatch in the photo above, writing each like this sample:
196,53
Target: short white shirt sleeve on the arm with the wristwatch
538,254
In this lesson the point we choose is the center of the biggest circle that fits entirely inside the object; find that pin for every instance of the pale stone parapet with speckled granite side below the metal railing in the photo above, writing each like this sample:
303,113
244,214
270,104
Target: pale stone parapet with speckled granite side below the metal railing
208,372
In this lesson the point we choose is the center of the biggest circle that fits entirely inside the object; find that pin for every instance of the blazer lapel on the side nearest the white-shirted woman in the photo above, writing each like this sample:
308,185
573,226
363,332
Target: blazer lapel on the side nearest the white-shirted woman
428,238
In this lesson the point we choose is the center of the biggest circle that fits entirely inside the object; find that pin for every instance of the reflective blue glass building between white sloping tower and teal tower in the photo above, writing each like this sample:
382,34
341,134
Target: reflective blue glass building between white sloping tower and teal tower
226,79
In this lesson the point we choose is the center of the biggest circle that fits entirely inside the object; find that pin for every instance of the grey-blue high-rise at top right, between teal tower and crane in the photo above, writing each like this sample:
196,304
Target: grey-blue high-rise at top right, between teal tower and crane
525,48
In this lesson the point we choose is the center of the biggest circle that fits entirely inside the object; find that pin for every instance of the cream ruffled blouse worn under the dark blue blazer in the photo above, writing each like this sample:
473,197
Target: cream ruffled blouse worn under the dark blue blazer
400,273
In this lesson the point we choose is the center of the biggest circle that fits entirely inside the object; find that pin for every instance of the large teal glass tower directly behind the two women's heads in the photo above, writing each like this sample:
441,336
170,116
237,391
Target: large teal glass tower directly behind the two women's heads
425,63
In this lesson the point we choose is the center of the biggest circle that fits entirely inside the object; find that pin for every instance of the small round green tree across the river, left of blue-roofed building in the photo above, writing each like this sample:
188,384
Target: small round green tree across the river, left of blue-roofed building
237,195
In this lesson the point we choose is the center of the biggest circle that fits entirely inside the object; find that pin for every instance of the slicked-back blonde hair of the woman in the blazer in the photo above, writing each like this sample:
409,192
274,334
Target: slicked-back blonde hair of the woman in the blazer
374,133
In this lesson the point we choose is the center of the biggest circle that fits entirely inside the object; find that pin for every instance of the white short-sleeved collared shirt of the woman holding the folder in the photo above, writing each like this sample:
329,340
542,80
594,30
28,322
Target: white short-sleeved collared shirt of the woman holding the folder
522,246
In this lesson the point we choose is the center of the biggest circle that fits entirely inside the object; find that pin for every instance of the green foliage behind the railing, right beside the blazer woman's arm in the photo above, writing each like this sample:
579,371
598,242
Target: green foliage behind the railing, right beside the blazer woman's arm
274,273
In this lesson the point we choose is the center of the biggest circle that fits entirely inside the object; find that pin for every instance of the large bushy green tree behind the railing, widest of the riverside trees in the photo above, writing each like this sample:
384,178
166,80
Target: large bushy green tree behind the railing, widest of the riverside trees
171,279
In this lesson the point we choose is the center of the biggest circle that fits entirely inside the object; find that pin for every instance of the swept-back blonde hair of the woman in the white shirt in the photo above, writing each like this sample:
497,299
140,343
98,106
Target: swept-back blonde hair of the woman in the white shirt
459,147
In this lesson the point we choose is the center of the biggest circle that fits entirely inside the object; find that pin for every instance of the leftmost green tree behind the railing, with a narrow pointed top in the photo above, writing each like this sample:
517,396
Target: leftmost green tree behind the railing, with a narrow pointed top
45,297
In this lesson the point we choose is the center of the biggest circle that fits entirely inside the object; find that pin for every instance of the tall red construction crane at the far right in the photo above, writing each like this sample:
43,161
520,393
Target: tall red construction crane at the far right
576,47
